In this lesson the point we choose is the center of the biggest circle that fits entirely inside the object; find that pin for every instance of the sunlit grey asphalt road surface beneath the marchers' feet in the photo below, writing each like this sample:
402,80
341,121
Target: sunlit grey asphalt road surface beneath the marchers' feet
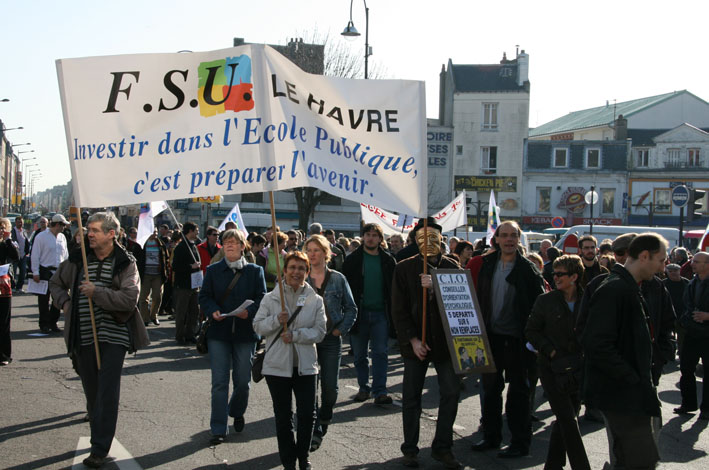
165,404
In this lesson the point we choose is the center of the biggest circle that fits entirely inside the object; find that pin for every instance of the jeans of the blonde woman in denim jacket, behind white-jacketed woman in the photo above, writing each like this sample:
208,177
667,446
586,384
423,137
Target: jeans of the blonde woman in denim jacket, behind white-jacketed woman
329,355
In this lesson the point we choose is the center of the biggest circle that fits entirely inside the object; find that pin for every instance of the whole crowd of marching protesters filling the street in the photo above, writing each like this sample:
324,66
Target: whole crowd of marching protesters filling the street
595,328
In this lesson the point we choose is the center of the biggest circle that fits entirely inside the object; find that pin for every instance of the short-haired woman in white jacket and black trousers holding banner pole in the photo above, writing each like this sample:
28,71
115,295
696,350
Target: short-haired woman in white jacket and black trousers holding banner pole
290,365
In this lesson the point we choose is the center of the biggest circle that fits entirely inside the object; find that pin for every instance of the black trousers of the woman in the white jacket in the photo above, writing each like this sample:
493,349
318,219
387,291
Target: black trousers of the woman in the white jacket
282,390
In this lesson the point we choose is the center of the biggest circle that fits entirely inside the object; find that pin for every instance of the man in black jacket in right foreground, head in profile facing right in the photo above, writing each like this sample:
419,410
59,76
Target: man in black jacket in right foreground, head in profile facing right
618,347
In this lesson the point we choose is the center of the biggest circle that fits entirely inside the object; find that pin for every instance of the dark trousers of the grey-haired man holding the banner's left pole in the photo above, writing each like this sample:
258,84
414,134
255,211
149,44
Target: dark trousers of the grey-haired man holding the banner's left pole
102,389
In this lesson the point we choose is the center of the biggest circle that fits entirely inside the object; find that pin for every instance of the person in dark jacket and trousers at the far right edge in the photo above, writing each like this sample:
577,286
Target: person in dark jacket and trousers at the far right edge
695,320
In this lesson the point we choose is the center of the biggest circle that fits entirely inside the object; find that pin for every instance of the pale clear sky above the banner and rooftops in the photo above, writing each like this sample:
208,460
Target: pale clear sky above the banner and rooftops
581,54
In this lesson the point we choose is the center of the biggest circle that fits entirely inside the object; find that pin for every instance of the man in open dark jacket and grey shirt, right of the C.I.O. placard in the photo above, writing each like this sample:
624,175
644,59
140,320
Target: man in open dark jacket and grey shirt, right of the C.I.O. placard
508,284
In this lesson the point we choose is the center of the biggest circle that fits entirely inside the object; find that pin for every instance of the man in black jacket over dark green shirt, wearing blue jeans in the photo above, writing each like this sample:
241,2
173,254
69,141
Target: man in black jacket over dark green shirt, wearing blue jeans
369,271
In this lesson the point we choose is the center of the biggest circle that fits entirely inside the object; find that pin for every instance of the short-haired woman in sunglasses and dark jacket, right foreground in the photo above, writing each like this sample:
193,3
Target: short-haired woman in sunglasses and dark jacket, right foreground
550,329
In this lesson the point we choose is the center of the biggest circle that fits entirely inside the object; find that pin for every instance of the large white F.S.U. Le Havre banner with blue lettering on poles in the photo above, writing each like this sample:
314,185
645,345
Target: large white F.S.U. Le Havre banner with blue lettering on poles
152,127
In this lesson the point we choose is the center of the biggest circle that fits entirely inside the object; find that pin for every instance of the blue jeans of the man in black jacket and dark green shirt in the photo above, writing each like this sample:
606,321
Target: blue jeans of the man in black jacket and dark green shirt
373,332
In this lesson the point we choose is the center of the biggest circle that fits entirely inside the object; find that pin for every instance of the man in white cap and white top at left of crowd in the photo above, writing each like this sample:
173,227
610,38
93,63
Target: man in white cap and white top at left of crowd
49,249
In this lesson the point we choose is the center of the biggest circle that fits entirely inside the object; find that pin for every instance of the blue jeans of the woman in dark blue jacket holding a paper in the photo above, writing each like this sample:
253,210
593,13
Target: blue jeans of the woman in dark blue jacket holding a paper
222,355
